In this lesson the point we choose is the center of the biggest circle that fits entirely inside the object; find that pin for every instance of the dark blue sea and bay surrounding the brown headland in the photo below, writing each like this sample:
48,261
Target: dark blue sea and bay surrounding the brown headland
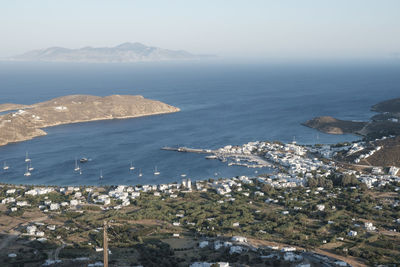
221,104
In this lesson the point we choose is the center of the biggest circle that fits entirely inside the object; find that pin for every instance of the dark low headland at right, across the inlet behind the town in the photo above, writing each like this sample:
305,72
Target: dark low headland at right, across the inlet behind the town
383,124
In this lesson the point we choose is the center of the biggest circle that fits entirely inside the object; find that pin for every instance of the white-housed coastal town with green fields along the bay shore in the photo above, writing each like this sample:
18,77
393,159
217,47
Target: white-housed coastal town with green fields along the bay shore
308,209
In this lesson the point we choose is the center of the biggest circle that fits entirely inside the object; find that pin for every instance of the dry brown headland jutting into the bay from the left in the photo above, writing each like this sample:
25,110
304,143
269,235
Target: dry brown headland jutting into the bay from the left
29,120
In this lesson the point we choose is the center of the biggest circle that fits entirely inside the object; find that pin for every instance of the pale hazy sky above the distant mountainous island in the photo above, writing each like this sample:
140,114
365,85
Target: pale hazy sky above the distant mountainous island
248,28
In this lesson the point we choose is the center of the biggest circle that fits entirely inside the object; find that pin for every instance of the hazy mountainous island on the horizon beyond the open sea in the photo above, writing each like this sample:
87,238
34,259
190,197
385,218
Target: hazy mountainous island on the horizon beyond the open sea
126,52
